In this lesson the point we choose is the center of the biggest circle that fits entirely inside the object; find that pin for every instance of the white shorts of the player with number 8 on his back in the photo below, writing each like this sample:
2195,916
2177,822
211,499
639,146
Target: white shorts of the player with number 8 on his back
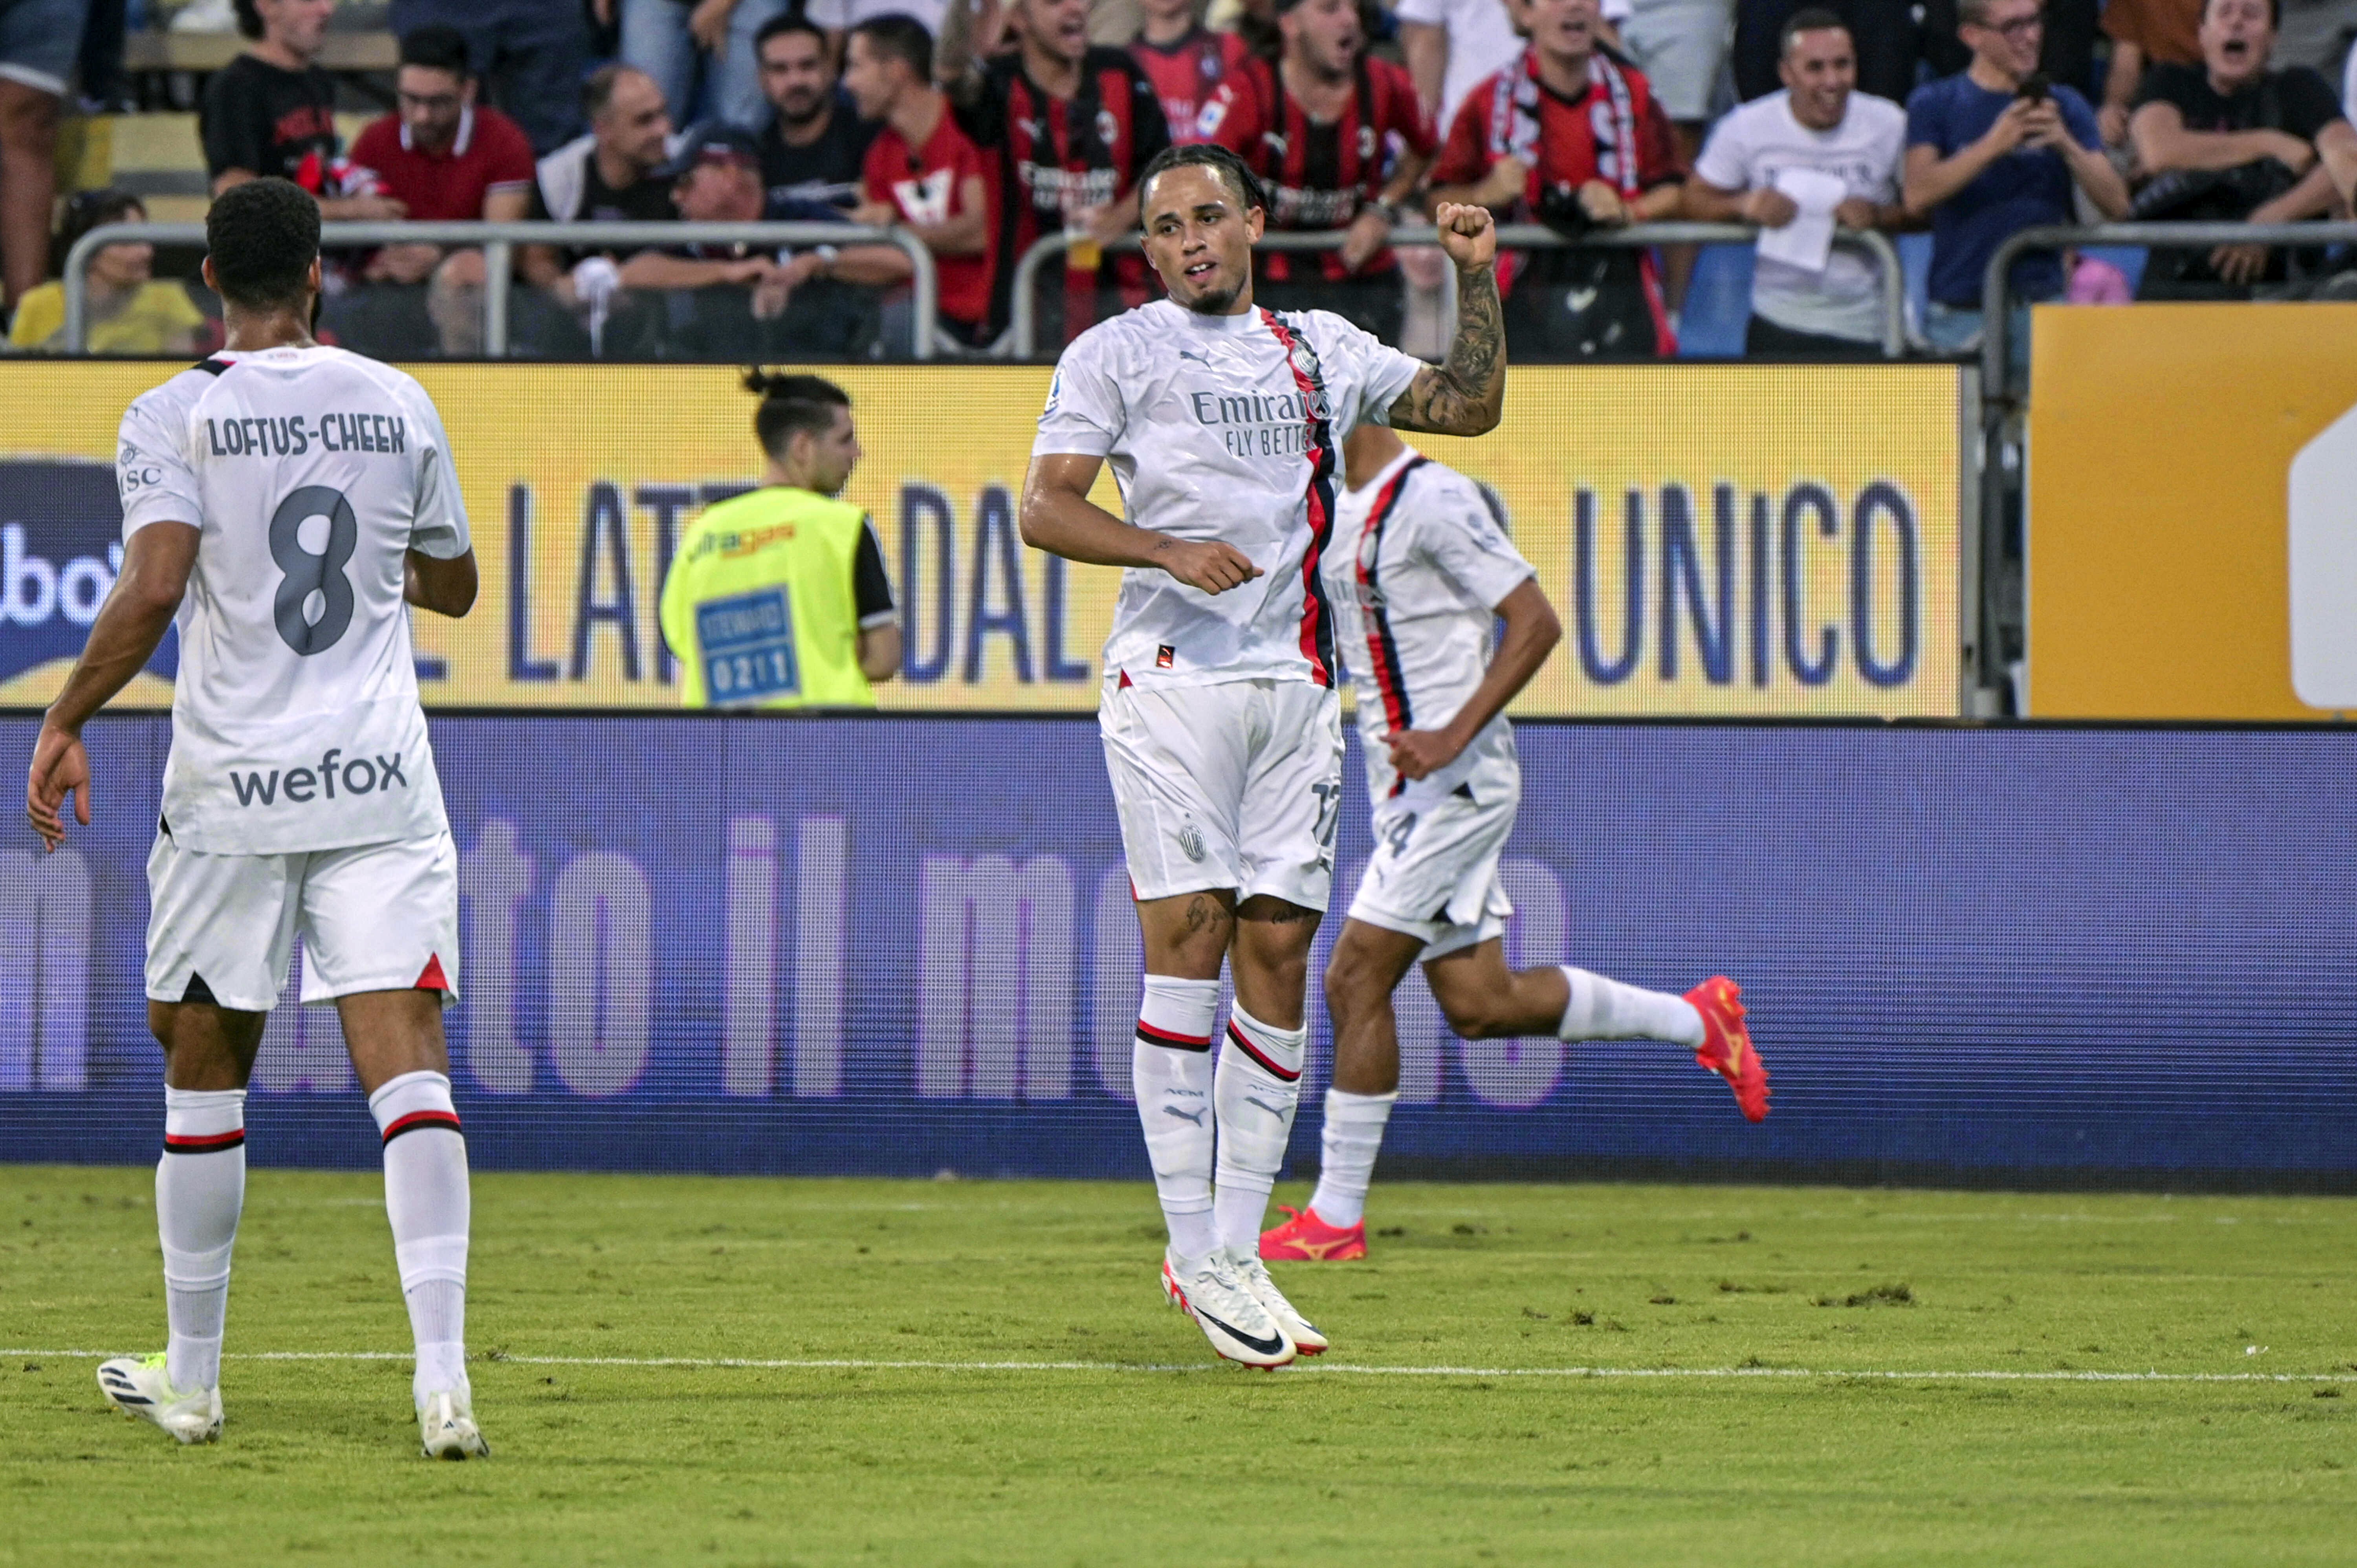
371,918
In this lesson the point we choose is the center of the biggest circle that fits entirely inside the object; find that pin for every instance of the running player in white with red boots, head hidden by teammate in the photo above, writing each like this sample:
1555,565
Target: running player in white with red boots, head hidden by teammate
1420,574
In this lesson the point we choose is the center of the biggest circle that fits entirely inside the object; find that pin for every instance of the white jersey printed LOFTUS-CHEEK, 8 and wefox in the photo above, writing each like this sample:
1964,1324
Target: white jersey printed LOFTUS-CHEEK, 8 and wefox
310,475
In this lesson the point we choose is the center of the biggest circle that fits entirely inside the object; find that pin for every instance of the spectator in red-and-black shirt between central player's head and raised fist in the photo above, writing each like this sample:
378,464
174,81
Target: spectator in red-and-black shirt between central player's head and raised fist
1340,140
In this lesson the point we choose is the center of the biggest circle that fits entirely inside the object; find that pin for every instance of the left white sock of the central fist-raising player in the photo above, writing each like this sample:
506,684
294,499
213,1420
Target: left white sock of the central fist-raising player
1170,1069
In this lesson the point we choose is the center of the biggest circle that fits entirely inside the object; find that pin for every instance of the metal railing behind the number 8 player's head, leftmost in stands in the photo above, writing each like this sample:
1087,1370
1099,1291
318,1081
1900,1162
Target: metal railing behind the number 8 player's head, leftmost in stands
499,244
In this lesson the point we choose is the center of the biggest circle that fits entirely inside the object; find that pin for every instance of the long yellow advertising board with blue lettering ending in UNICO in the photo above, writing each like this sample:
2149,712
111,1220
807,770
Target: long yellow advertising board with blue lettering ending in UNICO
1717,539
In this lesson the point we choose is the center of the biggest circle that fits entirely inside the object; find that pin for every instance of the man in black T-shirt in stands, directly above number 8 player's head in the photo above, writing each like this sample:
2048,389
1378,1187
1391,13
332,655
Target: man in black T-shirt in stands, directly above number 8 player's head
272,112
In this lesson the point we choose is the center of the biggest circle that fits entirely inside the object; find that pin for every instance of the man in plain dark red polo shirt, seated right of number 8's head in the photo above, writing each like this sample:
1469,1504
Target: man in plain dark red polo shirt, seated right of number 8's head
444,159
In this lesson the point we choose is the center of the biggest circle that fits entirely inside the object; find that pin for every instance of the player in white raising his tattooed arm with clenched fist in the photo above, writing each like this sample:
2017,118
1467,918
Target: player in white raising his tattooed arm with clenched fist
1220,713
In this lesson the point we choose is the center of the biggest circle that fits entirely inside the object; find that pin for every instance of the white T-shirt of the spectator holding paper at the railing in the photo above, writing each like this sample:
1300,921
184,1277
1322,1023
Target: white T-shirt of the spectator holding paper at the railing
1757,140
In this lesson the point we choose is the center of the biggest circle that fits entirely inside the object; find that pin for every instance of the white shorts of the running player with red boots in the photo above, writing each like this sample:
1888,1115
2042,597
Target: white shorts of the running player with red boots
1434,869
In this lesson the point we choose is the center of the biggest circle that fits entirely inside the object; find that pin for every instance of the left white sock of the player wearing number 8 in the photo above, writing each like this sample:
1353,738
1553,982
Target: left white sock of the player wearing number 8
199,1194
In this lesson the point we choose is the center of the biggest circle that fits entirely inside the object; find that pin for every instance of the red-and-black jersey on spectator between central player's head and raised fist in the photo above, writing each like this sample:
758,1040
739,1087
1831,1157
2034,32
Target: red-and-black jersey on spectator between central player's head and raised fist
1321,173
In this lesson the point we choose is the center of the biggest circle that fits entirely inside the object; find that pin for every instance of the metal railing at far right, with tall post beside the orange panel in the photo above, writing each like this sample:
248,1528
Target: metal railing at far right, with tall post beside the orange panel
1998,397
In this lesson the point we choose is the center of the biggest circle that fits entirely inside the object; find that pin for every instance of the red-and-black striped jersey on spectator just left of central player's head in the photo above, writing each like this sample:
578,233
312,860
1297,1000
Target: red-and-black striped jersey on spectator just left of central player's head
1059,157
